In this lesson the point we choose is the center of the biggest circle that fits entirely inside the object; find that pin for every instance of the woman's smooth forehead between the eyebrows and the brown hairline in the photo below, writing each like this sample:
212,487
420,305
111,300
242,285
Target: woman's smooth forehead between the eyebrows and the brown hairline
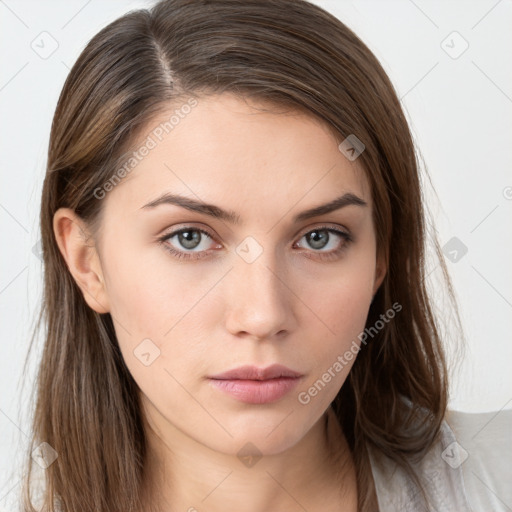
224,147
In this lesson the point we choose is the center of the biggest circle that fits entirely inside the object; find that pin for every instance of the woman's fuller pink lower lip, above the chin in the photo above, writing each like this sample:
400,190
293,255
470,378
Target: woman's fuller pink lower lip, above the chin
257,391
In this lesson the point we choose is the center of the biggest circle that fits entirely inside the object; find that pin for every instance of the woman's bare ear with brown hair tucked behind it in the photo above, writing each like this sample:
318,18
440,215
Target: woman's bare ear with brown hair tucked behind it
78,250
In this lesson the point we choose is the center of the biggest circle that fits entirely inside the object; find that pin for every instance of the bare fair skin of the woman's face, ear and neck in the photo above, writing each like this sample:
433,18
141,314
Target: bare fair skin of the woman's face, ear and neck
290,306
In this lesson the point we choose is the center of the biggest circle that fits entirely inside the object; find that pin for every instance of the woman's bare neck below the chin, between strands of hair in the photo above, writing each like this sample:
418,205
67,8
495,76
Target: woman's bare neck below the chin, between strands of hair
190,476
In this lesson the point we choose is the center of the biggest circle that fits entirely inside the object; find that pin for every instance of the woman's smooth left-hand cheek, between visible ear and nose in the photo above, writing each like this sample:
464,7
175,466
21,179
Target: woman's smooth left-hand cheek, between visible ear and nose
162,314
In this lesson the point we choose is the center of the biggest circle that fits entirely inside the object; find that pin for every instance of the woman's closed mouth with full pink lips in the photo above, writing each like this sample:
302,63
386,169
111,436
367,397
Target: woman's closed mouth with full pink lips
253,385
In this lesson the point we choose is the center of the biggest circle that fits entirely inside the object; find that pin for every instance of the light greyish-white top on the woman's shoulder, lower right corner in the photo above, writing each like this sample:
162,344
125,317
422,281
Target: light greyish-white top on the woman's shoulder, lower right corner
468,470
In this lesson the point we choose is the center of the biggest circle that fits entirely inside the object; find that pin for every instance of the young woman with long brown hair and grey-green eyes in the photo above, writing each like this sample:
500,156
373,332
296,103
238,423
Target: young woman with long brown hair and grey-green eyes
233,238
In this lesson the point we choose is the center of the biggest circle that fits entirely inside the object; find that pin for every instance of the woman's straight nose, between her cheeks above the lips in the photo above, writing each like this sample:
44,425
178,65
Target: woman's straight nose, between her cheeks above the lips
260,302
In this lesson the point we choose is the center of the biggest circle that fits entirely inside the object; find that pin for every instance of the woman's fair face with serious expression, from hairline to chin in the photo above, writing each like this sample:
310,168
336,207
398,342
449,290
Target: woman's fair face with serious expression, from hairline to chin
195,292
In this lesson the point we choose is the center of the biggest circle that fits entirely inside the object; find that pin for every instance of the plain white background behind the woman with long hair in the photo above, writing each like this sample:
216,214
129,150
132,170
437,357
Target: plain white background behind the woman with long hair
451,66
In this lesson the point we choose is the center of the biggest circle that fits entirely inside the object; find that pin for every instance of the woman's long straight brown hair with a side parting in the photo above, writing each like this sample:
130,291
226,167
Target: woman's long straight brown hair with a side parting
288,53
